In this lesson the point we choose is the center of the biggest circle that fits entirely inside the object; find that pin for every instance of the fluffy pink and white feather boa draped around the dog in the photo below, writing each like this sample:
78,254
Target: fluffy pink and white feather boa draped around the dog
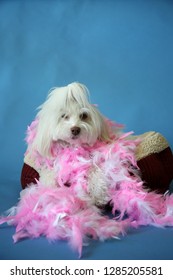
68,213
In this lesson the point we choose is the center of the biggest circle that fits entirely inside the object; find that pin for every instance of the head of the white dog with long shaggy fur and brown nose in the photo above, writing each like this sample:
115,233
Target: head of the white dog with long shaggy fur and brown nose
68,117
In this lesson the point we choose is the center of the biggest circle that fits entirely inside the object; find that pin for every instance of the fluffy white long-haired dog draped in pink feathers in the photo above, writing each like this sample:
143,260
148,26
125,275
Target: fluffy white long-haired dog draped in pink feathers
68,118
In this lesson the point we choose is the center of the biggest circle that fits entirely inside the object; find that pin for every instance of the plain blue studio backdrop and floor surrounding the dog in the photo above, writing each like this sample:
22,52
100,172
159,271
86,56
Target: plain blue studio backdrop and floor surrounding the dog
122,50
